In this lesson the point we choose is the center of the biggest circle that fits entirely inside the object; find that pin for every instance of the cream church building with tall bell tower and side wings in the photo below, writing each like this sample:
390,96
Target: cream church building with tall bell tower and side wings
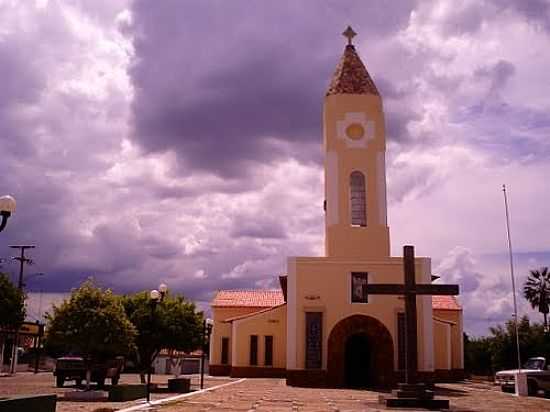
322,328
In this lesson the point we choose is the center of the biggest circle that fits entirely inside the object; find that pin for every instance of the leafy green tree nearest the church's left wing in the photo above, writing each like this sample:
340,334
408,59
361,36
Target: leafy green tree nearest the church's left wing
173,324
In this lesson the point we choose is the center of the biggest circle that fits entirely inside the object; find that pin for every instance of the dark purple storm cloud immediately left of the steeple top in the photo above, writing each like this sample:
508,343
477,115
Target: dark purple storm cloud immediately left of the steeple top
217,81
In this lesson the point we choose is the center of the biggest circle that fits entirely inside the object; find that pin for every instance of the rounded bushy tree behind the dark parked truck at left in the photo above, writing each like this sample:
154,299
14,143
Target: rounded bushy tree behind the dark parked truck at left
93,323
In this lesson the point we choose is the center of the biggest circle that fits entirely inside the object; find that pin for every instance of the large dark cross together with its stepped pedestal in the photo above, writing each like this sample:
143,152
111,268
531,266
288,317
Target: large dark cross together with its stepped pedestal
412,393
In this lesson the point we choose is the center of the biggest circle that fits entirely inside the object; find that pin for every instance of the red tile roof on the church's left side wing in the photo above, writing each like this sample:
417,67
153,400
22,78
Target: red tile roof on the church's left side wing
259,298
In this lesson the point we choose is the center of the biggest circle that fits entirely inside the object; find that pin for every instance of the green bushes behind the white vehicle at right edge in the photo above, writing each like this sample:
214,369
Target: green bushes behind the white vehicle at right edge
487,355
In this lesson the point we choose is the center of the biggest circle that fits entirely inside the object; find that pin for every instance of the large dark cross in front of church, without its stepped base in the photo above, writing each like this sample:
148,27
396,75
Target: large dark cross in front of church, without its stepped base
409,290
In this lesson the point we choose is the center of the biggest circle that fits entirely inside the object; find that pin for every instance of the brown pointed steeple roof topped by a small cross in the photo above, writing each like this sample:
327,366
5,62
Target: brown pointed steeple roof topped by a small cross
351,75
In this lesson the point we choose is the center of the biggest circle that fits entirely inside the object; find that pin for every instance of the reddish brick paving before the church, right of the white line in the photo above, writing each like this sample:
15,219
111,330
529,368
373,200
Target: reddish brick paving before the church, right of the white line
272,395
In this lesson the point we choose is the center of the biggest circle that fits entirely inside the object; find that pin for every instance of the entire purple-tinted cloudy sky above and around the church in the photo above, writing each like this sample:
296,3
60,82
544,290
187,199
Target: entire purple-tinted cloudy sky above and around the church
181,140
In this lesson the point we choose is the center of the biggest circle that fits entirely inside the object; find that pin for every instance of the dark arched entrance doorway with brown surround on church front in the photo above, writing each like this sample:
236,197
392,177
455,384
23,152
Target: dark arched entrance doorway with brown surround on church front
360,353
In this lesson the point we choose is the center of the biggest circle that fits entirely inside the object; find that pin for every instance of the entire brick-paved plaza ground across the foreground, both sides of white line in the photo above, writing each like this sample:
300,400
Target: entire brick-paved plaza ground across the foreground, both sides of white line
273,395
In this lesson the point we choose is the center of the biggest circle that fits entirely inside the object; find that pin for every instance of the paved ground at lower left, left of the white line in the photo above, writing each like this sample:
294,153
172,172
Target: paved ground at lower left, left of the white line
44,382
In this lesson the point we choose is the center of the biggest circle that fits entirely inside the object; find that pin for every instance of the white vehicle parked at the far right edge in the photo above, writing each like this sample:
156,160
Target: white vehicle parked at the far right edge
538,377
